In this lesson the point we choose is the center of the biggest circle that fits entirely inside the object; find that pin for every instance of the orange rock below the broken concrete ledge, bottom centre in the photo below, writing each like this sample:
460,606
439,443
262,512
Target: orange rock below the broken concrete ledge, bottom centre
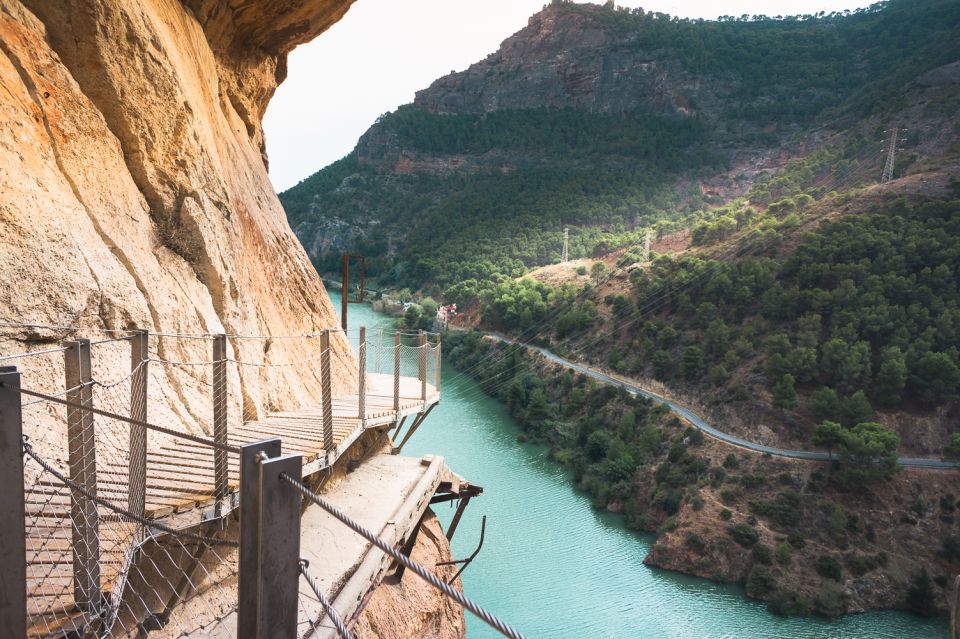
412,608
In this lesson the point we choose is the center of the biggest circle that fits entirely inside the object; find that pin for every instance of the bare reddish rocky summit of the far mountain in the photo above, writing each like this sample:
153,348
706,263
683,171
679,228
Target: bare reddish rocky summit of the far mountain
568,57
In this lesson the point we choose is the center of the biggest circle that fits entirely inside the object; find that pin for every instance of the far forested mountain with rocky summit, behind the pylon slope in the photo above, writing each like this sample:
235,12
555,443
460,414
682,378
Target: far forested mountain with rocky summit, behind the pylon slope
610,121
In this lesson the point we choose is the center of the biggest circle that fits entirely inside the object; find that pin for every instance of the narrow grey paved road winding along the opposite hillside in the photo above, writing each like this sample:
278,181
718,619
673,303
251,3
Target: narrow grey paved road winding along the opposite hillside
699,422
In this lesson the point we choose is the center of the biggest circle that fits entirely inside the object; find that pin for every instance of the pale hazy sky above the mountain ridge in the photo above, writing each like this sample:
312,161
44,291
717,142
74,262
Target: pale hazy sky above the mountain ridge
383,51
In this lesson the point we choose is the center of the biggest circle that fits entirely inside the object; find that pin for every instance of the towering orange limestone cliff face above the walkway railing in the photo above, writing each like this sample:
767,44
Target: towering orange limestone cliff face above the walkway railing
133,178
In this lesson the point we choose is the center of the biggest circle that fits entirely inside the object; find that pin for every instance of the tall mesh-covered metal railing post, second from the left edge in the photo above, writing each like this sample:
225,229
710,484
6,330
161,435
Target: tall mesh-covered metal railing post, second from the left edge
81,442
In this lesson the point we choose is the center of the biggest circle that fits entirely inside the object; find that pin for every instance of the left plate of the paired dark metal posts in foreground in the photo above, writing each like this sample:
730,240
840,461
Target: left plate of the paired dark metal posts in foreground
249,559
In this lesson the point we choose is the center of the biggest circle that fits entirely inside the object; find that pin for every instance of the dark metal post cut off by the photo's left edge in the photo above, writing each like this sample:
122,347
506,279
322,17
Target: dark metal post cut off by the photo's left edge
13,550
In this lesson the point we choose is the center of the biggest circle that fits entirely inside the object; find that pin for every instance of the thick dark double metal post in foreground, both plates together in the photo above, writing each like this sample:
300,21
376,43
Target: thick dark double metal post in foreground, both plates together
269,544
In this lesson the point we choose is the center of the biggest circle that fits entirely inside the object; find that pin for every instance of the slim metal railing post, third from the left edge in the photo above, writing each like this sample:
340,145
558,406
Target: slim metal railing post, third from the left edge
137,478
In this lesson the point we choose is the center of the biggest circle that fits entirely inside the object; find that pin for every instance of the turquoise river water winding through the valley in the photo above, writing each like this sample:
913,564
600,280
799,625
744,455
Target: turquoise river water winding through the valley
555,568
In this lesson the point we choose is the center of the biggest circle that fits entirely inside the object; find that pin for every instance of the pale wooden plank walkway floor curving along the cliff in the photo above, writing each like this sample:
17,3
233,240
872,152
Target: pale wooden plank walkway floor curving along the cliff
179,481
